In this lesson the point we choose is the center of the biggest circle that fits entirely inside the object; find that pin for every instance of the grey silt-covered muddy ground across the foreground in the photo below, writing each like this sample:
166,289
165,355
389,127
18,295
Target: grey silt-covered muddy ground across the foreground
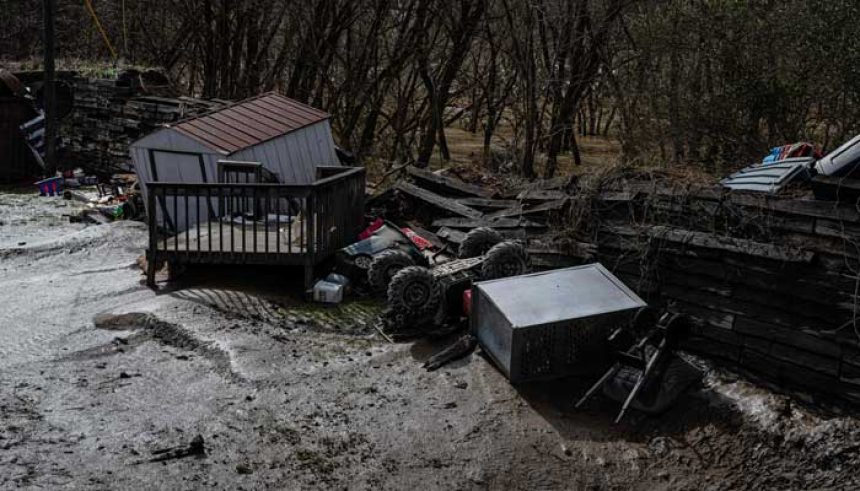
97,372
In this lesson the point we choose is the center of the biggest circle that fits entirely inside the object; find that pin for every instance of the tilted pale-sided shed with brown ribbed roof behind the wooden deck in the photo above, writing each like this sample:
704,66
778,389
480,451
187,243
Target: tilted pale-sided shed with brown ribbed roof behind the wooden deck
288,138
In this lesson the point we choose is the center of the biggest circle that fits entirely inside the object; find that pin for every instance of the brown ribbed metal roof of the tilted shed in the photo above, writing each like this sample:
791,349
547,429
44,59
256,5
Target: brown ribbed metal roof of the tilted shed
249,122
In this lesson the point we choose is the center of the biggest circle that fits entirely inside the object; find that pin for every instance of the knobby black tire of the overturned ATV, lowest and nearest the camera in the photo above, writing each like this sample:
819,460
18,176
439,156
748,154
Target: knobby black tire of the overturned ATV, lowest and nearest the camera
415,294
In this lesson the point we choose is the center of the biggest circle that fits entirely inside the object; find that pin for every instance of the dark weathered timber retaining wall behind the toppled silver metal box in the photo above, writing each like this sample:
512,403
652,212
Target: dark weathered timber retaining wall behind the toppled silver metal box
769,283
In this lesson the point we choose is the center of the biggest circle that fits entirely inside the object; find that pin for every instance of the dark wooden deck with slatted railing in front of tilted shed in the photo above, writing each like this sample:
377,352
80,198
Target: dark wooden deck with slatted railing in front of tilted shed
242,223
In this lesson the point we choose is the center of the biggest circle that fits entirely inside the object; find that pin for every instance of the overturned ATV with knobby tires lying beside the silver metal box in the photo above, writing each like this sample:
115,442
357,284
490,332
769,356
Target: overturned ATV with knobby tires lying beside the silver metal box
420,298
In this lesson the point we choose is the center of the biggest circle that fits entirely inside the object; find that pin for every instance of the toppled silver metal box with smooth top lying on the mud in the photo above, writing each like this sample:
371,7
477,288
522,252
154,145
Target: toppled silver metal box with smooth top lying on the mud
550,324
